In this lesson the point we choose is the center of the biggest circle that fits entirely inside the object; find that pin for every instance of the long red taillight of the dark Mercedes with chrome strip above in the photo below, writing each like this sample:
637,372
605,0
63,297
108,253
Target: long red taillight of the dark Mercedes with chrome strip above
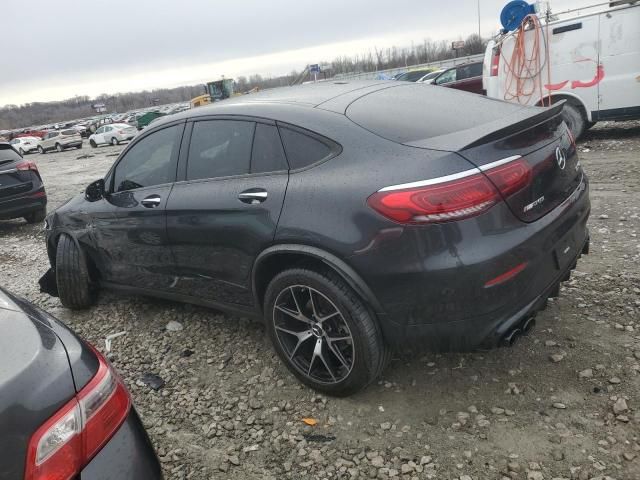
454,197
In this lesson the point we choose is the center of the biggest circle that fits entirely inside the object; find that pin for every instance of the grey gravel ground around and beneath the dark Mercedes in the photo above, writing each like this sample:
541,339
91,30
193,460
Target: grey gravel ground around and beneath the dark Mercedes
563,403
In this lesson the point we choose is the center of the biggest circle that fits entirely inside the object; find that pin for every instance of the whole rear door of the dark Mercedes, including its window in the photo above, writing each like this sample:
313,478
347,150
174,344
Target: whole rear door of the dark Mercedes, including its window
225,210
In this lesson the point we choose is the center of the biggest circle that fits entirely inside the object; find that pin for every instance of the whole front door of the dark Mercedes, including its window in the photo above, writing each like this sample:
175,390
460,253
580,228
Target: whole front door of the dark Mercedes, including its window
134,240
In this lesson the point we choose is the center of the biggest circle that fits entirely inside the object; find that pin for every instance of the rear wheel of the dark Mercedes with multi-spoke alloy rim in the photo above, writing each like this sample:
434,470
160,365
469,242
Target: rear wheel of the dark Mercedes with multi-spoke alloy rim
369,354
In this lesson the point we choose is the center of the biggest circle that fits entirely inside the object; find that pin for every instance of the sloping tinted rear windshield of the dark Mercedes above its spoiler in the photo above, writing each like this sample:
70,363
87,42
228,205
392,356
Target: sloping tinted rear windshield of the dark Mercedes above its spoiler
411,112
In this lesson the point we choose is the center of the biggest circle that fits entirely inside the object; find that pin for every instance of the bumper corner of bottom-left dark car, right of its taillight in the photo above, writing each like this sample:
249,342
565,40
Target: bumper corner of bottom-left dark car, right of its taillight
129,455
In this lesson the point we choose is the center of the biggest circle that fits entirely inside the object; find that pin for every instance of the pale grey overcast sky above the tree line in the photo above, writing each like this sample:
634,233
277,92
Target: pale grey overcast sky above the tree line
57,49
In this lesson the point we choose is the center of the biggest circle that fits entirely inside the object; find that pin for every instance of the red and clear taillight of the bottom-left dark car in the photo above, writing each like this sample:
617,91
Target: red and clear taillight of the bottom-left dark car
65,443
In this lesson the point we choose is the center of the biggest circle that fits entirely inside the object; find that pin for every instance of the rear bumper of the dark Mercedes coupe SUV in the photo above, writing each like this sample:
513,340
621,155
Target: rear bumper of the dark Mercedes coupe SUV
440,297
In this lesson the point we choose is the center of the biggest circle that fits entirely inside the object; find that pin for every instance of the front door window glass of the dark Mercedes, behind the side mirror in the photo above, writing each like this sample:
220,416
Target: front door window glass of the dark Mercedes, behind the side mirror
149,162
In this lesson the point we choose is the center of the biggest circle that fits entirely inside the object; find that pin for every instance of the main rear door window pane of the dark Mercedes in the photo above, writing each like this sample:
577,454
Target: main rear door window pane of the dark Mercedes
219,148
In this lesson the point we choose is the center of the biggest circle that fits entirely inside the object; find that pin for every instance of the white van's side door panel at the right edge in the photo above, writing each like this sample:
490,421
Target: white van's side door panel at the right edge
619,90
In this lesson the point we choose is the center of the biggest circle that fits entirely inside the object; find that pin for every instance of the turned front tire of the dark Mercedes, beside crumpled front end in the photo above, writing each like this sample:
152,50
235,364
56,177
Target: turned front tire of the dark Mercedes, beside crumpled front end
72,275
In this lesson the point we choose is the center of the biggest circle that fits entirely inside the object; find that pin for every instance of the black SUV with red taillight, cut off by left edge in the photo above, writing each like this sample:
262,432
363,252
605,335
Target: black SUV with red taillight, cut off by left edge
22,192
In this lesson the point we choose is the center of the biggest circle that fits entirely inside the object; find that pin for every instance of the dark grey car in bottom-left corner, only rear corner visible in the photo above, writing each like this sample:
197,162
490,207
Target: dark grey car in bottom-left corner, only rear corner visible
64,412
